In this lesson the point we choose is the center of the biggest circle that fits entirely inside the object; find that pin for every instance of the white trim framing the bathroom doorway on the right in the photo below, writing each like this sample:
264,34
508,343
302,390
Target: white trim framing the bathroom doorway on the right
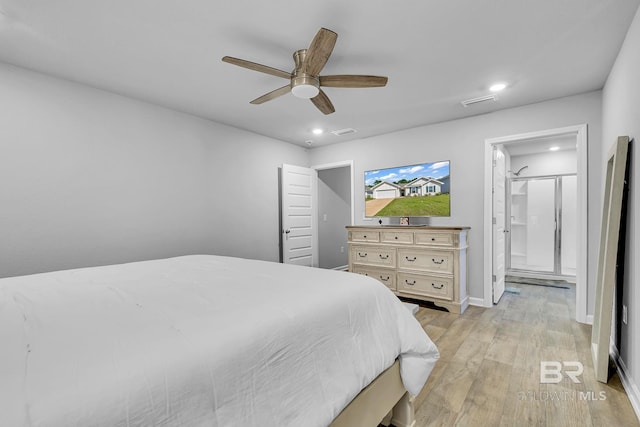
580,133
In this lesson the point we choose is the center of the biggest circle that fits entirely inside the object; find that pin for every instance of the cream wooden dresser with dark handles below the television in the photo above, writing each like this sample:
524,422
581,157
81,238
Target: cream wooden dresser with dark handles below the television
426,263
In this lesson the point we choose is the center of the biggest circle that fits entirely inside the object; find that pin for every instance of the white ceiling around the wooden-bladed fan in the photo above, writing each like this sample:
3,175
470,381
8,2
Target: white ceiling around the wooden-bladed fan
436,53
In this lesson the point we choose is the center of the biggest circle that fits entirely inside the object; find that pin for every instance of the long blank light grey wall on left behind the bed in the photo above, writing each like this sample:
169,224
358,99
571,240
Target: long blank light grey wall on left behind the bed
90,178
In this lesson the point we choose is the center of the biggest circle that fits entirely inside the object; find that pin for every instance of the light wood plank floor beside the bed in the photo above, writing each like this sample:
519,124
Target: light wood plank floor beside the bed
489,368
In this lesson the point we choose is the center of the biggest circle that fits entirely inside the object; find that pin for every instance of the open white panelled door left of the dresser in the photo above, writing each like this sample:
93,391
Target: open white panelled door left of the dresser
299,215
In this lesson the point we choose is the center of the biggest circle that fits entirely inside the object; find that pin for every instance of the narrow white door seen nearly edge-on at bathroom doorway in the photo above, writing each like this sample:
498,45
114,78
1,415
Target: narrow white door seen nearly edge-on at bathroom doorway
499,230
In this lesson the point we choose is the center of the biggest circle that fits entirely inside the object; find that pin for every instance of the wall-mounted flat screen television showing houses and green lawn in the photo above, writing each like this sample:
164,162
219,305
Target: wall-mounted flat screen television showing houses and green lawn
419,190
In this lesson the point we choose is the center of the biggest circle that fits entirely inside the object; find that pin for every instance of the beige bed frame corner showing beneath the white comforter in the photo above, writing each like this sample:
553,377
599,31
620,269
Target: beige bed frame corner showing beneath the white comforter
384,401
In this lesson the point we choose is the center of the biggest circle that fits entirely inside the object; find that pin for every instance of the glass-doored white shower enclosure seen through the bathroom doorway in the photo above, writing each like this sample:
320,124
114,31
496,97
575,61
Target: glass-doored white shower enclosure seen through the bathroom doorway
542,226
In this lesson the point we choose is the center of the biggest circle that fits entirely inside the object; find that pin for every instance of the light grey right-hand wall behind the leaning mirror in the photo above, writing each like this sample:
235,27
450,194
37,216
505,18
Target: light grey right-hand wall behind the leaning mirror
621,116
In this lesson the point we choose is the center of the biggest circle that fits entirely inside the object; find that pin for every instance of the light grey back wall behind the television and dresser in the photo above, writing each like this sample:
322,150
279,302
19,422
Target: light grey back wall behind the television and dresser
463,142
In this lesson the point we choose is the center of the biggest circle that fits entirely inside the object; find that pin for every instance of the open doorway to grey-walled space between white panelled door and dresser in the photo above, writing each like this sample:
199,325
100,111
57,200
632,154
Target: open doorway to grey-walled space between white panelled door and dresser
335,212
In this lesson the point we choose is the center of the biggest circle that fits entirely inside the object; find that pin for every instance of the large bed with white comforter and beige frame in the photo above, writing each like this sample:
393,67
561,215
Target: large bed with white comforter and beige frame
206,340
